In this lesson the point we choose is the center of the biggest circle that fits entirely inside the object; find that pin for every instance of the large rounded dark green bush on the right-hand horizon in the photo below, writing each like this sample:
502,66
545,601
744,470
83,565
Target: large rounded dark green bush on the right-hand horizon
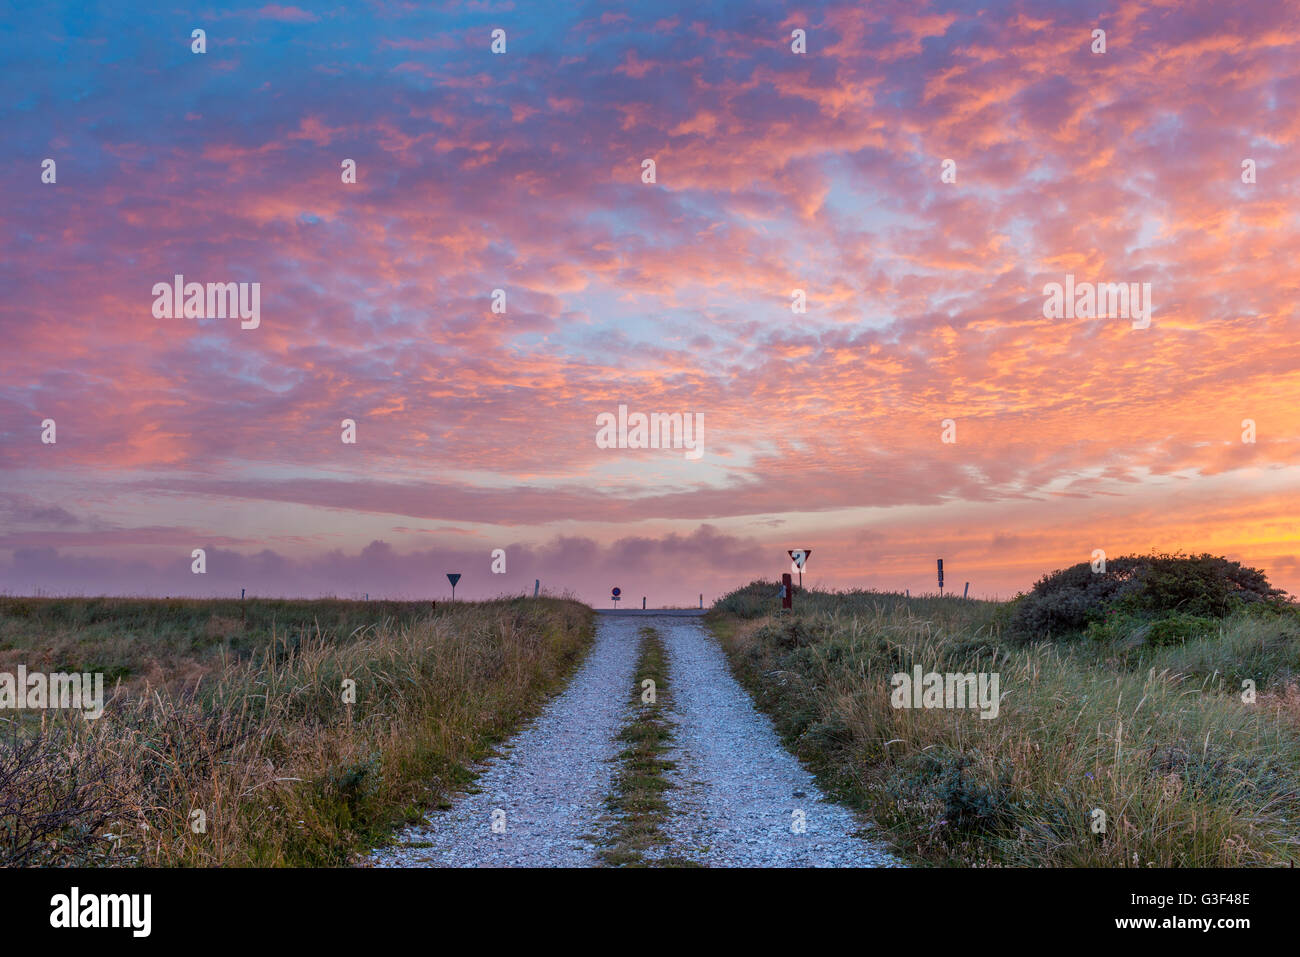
1150,588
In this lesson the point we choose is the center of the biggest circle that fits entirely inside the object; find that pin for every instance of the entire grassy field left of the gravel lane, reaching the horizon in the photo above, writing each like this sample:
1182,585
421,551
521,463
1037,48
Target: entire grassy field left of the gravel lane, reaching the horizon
265,746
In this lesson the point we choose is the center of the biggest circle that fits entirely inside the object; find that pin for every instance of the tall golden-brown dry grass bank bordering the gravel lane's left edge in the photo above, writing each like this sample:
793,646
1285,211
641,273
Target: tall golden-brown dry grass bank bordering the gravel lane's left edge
263,763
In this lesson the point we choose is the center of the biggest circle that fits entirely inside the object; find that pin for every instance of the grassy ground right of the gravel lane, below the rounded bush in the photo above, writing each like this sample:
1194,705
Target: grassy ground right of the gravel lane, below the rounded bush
1159,741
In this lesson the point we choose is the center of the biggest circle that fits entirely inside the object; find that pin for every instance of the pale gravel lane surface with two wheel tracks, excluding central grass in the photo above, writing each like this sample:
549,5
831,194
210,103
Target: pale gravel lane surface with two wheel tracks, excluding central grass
740,798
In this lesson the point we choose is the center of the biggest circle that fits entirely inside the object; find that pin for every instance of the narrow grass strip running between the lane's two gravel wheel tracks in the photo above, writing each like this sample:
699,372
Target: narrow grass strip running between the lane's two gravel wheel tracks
639,787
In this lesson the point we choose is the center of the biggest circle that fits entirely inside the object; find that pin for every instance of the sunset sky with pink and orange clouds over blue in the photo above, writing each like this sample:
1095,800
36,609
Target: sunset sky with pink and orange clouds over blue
921,171
